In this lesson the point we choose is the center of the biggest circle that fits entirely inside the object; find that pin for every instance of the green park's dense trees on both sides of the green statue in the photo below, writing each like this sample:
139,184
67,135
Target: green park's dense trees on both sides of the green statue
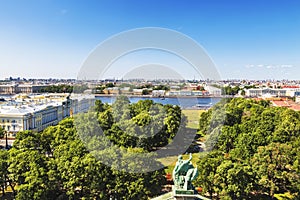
251,152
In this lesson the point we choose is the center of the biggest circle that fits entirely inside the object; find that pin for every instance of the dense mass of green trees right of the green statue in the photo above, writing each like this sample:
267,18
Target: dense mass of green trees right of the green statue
256,153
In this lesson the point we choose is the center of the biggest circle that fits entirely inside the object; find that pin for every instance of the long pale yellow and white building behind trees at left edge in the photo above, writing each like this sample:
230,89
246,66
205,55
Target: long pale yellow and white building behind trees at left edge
37,112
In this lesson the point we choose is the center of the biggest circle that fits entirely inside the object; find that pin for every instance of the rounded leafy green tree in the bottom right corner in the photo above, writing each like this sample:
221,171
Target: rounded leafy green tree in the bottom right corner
273,165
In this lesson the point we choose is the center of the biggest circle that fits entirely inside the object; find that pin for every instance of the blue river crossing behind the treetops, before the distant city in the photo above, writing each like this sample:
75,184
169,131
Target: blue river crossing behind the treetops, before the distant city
188,102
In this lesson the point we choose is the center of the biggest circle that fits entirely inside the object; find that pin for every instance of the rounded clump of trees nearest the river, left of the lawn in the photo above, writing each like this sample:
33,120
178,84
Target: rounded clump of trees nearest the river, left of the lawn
143,124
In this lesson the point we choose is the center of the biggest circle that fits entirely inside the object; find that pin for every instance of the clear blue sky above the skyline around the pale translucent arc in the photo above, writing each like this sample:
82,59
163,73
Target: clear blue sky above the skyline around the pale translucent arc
257,39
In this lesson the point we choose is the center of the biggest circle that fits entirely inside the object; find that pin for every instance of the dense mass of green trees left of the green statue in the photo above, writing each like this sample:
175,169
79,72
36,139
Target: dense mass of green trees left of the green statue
58,163
